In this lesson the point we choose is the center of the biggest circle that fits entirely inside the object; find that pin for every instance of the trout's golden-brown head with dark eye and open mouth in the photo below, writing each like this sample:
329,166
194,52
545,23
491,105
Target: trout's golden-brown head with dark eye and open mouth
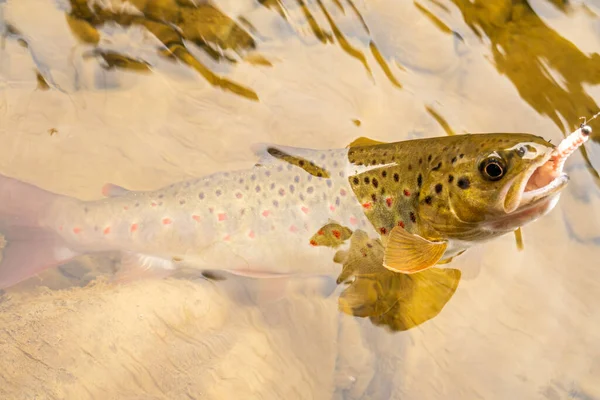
493,184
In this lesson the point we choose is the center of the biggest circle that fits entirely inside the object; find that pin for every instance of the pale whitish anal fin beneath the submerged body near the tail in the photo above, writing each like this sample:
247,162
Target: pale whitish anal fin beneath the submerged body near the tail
136,267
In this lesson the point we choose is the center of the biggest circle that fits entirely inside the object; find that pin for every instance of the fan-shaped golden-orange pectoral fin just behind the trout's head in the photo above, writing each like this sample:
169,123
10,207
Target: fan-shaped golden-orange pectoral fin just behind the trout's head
408,253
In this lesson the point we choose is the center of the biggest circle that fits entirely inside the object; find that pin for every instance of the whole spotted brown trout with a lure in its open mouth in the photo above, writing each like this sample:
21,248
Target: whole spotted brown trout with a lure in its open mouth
427,200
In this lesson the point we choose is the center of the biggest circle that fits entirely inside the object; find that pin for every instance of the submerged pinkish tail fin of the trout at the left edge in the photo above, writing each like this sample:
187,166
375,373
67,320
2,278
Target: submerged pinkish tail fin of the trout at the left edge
30,248
